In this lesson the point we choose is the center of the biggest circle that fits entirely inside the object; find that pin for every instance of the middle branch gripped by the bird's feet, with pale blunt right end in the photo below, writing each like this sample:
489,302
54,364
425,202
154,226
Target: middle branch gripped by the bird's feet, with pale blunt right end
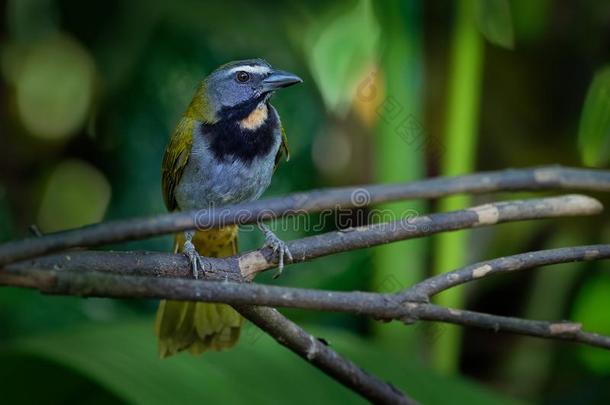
247,265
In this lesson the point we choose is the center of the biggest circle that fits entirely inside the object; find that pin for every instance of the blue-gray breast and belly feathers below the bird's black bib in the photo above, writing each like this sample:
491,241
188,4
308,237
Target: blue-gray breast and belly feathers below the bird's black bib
210,182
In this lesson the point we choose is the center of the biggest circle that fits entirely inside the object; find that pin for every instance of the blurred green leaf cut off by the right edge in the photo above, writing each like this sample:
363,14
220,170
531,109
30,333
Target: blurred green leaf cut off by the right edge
594,130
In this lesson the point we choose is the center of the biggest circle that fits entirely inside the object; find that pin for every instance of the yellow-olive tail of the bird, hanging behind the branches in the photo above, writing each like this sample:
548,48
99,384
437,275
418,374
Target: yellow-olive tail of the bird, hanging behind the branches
199,326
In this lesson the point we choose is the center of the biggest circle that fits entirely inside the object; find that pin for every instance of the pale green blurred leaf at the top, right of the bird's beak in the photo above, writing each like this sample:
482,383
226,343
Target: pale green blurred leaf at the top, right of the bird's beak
339,47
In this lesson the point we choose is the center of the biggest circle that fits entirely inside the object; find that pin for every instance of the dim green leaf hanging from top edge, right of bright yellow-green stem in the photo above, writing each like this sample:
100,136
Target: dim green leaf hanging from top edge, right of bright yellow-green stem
494,21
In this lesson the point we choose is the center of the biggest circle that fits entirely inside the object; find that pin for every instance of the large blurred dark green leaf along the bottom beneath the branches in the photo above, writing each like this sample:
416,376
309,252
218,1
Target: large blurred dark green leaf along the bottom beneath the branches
122,359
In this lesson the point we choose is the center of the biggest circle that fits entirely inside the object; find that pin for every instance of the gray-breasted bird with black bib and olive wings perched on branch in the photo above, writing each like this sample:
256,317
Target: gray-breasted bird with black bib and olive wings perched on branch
224,150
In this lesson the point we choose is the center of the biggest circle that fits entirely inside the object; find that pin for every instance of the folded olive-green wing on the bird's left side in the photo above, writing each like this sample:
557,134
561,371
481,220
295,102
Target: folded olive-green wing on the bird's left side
175,159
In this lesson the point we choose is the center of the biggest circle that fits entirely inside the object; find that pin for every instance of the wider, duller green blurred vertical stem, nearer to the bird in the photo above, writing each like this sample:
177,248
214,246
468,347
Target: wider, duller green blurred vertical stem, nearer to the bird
400,264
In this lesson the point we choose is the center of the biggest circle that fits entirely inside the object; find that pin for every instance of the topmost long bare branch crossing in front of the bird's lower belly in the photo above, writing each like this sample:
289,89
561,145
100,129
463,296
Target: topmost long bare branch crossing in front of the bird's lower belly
541,178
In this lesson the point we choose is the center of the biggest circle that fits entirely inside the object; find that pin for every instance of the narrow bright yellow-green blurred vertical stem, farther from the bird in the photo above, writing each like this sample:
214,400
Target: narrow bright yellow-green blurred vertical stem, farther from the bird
460,140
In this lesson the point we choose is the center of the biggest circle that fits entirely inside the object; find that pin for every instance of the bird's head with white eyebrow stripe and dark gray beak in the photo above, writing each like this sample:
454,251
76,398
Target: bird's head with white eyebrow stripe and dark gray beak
235,89
